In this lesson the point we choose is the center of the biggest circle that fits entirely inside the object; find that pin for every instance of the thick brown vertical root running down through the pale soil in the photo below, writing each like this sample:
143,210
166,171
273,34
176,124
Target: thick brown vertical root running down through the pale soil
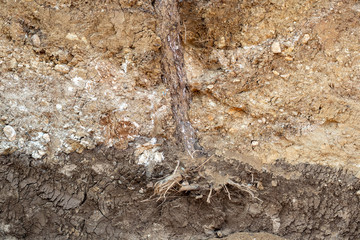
174,74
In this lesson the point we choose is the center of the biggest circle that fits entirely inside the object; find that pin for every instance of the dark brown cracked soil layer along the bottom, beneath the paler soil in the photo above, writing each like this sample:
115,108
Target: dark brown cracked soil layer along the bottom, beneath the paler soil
37,201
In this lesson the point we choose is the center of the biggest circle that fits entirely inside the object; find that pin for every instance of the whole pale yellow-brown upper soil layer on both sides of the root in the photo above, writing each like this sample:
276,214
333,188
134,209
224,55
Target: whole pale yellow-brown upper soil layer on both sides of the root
270,79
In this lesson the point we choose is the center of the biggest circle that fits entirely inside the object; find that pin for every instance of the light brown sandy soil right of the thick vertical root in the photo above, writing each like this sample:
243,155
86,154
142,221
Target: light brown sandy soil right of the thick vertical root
300,105
